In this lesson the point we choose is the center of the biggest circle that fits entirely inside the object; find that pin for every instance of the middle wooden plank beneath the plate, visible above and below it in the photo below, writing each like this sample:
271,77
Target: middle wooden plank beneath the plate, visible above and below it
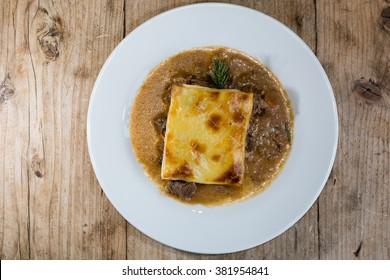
301,241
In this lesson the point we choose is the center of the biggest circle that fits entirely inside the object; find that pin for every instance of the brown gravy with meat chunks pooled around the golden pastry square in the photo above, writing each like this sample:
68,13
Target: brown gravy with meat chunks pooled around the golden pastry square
269,137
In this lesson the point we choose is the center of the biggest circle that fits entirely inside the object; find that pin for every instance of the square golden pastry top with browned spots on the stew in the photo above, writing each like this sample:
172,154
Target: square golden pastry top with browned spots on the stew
205,135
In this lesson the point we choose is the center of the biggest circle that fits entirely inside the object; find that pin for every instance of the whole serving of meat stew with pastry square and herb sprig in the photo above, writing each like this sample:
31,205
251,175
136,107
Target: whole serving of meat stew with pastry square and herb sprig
211,126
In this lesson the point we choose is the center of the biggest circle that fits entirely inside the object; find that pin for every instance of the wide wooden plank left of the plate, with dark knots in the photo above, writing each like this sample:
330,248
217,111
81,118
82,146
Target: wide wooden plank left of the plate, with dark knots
59,50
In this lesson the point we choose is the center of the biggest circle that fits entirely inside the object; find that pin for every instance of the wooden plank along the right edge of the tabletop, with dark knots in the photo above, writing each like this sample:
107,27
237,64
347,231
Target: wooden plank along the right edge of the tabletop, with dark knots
354,208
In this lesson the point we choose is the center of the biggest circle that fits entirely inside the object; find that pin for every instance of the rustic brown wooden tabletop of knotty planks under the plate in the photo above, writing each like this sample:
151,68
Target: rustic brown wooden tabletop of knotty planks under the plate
51,204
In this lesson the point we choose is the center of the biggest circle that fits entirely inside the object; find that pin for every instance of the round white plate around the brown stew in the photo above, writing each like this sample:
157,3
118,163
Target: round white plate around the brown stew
226,228
